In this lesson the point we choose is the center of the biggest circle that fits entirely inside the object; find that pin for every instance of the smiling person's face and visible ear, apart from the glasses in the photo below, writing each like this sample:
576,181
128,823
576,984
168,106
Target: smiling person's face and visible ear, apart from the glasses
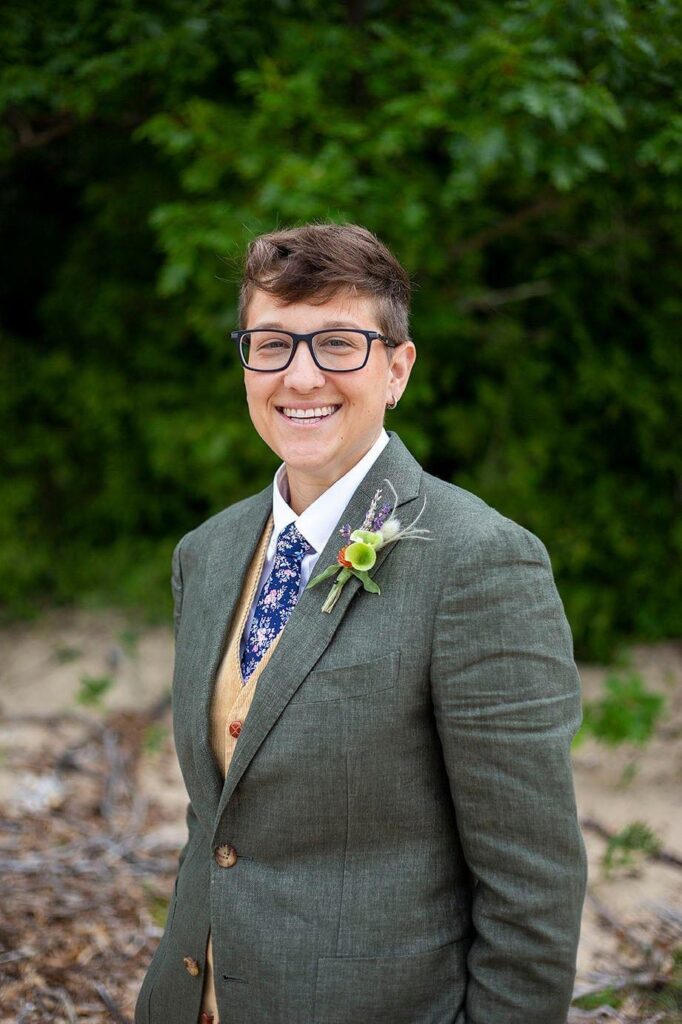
319,454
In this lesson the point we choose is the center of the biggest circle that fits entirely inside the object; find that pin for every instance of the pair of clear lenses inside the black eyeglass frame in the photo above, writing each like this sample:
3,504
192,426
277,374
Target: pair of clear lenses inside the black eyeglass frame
334,350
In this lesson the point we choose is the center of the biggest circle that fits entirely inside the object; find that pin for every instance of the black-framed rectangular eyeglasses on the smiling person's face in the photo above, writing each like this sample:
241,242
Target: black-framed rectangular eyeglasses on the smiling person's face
337,351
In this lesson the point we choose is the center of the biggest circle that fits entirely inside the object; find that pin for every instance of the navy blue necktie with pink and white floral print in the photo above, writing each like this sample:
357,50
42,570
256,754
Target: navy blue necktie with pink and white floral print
277,600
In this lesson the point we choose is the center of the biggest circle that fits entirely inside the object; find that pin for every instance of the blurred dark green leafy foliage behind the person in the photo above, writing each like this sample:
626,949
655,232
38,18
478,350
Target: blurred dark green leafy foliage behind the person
523,159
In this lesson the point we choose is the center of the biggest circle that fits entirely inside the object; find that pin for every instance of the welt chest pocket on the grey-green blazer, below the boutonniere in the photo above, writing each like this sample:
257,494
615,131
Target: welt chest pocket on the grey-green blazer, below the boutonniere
356,679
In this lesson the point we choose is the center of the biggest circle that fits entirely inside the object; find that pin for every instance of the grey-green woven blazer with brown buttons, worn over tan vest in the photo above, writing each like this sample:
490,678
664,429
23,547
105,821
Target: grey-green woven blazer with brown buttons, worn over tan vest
401,798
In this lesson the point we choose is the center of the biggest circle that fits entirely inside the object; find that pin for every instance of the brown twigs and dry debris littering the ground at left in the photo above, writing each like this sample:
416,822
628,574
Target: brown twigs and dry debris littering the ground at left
90,880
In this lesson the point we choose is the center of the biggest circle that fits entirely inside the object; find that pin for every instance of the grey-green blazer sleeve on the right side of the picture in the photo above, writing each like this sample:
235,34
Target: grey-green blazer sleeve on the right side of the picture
507,702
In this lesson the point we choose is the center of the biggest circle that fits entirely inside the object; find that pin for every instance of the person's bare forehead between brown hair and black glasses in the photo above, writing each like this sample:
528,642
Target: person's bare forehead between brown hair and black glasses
346,308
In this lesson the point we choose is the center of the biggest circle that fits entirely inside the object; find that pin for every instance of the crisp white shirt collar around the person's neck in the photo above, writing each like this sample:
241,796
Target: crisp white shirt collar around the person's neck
318,522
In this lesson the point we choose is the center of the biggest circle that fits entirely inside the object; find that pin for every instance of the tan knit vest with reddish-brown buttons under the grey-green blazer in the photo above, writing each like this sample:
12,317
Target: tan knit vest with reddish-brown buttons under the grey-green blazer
230,707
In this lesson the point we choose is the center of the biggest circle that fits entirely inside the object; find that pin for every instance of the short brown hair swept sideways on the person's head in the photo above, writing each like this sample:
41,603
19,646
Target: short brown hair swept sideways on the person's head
316,262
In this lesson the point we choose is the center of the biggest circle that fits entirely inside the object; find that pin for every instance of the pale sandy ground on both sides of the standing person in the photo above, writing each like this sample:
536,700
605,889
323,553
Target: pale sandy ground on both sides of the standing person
42,666
